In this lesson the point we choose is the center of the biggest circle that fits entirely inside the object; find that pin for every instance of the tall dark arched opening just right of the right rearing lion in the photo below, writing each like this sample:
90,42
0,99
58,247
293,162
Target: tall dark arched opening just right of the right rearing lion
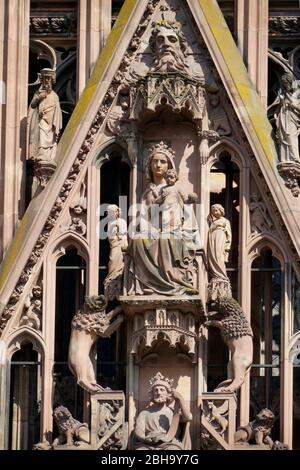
266,294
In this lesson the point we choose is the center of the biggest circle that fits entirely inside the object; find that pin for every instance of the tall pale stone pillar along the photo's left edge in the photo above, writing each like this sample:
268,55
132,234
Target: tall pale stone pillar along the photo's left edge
14,53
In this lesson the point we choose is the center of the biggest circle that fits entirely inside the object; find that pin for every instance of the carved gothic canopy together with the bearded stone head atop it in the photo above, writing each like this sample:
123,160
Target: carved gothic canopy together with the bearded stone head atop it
170,80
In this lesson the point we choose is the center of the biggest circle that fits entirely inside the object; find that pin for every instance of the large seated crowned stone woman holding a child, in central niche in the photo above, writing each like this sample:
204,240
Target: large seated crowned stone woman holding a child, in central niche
161,253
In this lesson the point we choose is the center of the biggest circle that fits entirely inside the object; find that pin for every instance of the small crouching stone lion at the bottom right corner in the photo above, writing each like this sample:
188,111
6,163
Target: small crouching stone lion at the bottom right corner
258,430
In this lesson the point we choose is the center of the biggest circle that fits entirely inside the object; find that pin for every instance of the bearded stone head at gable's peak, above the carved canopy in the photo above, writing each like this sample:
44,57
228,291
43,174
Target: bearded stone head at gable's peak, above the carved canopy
169,46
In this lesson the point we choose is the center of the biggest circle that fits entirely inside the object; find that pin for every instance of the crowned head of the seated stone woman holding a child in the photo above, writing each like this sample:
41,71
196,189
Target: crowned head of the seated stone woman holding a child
160,160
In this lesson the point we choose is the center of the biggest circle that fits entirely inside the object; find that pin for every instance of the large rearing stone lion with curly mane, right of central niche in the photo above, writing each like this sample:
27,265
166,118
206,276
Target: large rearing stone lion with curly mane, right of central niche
228,316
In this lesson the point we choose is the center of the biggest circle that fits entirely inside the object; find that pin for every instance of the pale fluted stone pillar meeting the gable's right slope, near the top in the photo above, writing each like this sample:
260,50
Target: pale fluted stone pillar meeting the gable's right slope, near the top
252,32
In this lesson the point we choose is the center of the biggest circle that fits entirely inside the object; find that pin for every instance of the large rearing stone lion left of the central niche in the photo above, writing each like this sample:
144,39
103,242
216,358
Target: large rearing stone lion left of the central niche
87,325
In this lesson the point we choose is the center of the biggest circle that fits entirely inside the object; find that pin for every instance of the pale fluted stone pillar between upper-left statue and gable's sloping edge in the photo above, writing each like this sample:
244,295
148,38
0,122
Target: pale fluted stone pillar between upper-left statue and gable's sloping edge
94,26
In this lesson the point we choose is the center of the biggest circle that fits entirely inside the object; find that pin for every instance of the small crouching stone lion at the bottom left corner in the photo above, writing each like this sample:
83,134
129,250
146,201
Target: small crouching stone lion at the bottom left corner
71,431
